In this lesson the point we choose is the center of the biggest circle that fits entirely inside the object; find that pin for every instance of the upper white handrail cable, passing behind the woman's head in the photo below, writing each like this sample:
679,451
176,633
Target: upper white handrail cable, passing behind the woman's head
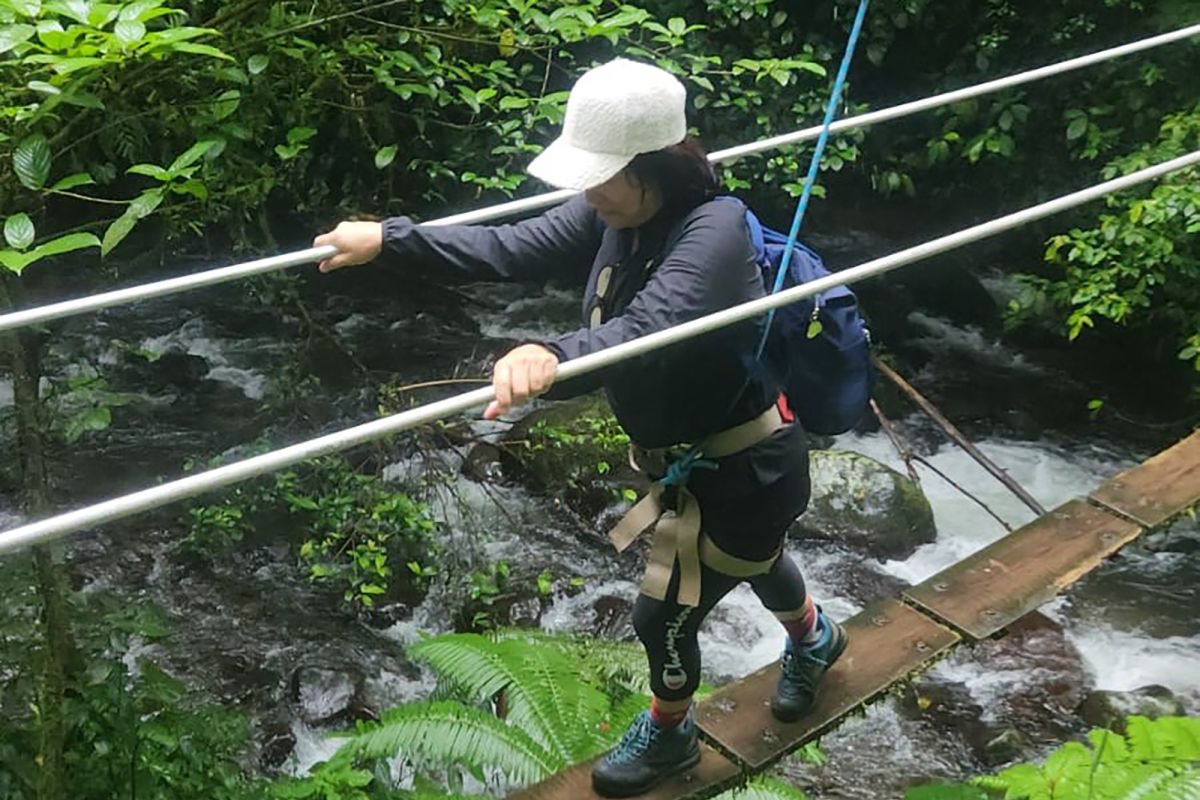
211,278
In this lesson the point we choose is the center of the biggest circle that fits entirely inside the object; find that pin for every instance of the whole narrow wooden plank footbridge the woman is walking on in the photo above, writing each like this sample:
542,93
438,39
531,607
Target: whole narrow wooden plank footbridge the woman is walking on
973,600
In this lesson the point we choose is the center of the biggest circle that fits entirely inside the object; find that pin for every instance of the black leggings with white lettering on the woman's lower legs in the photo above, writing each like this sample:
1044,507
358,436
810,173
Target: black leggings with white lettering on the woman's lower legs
669,630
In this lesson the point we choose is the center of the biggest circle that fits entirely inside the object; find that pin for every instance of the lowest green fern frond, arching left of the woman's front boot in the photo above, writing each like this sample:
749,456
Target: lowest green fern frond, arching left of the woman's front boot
447,733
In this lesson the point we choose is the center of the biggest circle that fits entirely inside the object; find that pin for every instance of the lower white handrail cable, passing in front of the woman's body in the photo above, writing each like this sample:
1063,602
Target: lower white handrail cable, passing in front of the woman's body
131,504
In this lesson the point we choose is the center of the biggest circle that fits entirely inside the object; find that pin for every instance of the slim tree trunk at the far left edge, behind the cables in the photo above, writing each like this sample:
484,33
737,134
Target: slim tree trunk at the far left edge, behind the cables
25,354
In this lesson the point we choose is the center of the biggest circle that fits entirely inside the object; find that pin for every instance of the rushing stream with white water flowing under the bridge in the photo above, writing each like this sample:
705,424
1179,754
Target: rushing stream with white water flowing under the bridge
253,631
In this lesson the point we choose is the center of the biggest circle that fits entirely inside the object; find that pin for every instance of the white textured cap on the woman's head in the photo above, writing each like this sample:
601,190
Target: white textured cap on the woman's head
615,112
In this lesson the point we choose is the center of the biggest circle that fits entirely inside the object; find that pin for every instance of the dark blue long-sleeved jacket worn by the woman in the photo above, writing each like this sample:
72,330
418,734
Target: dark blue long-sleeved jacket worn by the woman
679,270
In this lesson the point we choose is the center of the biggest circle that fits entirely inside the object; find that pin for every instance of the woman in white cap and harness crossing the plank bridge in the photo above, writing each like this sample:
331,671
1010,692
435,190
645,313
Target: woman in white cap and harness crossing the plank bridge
662,251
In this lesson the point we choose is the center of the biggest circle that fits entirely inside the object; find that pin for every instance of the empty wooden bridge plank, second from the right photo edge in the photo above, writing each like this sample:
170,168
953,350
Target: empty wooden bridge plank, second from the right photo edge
1018,574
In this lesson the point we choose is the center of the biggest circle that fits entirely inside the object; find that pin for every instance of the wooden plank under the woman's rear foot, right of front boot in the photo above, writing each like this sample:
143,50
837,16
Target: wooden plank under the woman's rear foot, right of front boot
887,642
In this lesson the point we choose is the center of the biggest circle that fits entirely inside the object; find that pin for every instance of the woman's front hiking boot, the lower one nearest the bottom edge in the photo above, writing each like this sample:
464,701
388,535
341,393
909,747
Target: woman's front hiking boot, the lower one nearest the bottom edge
647,754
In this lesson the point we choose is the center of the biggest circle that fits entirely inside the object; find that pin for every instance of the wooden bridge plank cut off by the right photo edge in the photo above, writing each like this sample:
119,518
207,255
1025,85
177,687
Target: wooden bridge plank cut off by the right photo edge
1160,489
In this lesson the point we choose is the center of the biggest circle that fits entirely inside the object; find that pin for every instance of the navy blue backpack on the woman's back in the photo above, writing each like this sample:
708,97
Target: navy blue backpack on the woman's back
825,369
